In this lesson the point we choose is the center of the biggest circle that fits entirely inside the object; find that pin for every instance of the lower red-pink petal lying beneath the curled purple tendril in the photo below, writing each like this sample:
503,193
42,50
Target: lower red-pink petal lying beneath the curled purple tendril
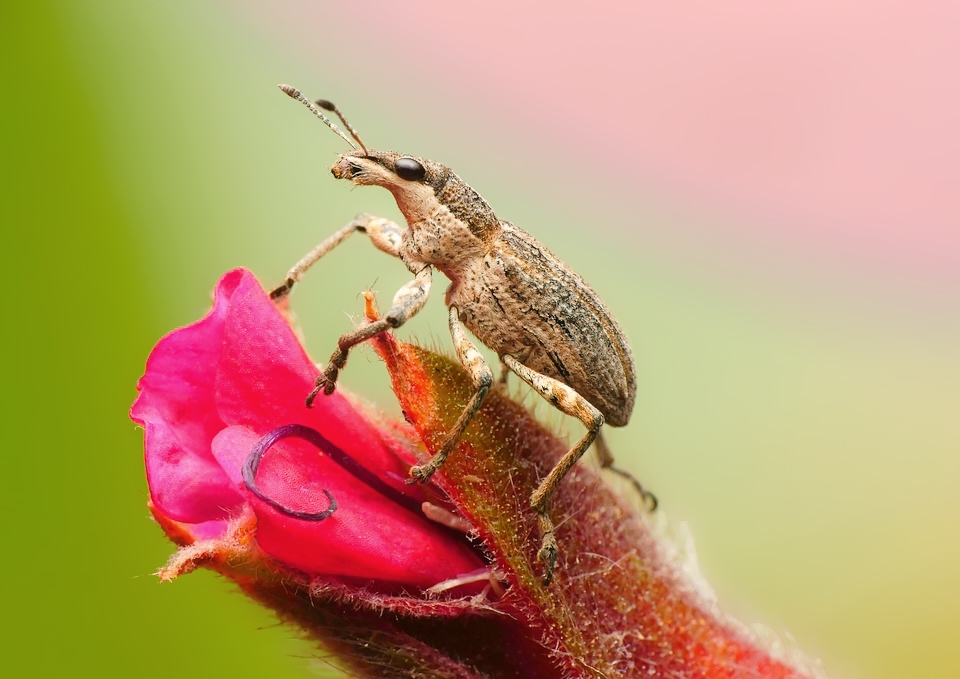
368,537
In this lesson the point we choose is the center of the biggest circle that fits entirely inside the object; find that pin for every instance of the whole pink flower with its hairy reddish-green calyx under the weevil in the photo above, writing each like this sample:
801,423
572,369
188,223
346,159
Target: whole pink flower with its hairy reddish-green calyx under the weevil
308,512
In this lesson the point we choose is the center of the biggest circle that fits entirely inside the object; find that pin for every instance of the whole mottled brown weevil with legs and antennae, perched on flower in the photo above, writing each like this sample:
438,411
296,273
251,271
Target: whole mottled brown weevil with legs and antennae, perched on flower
543,321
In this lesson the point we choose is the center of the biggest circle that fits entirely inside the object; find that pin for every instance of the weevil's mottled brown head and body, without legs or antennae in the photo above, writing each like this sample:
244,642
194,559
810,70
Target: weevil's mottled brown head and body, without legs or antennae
512,293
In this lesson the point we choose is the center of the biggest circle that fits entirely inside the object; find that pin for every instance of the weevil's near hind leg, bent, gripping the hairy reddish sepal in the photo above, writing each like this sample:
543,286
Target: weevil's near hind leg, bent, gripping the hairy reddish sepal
564,398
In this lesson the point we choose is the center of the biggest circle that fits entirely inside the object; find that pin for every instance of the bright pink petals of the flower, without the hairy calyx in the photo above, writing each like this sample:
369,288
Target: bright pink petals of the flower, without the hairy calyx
214,388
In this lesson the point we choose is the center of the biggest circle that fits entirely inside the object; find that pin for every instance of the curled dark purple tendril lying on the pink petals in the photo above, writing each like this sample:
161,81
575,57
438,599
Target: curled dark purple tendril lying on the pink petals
335,454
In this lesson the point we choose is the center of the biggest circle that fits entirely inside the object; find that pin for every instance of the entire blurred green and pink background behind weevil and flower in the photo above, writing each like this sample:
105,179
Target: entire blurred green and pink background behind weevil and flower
764,194
